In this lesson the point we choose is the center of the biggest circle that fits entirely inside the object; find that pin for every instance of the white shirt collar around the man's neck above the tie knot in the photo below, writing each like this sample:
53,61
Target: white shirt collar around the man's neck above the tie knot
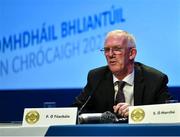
129,79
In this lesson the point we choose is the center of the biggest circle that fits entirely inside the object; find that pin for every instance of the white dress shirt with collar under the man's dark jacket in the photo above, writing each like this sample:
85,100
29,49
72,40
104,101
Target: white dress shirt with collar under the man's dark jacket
128,88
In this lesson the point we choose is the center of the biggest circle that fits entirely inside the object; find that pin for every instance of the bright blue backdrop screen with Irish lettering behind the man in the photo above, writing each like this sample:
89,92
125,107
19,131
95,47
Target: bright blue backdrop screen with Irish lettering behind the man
53,44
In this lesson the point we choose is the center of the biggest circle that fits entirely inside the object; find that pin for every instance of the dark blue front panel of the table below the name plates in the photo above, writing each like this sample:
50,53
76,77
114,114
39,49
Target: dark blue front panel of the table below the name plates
115,130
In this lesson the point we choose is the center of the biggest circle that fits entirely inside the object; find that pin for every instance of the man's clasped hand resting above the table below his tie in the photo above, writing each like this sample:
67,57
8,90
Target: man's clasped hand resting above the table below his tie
122,109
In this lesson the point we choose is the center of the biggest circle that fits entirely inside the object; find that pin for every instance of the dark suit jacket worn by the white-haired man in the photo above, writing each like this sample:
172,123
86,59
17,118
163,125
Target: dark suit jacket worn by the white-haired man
150,87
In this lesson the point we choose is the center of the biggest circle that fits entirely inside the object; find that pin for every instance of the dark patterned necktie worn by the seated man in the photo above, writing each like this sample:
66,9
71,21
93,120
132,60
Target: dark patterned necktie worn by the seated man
120,94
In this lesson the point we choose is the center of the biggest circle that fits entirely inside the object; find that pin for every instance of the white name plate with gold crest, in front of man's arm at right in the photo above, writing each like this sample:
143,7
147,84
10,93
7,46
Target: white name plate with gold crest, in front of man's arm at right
162,113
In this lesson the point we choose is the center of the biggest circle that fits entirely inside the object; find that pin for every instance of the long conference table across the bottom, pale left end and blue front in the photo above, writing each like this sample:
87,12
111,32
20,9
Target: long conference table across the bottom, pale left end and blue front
93,130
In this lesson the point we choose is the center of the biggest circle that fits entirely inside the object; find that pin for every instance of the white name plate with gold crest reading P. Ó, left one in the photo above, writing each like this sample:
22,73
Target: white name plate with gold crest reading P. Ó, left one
49,116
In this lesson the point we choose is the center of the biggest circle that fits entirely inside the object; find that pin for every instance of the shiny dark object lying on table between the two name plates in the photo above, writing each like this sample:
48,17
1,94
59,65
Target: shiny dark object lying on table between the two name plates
106,117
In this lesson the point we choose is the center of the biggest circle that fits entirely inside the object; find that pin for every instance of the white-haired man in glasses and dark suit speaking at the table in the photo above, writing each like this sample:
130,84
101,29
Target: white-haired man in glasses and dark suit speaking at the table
142,84
